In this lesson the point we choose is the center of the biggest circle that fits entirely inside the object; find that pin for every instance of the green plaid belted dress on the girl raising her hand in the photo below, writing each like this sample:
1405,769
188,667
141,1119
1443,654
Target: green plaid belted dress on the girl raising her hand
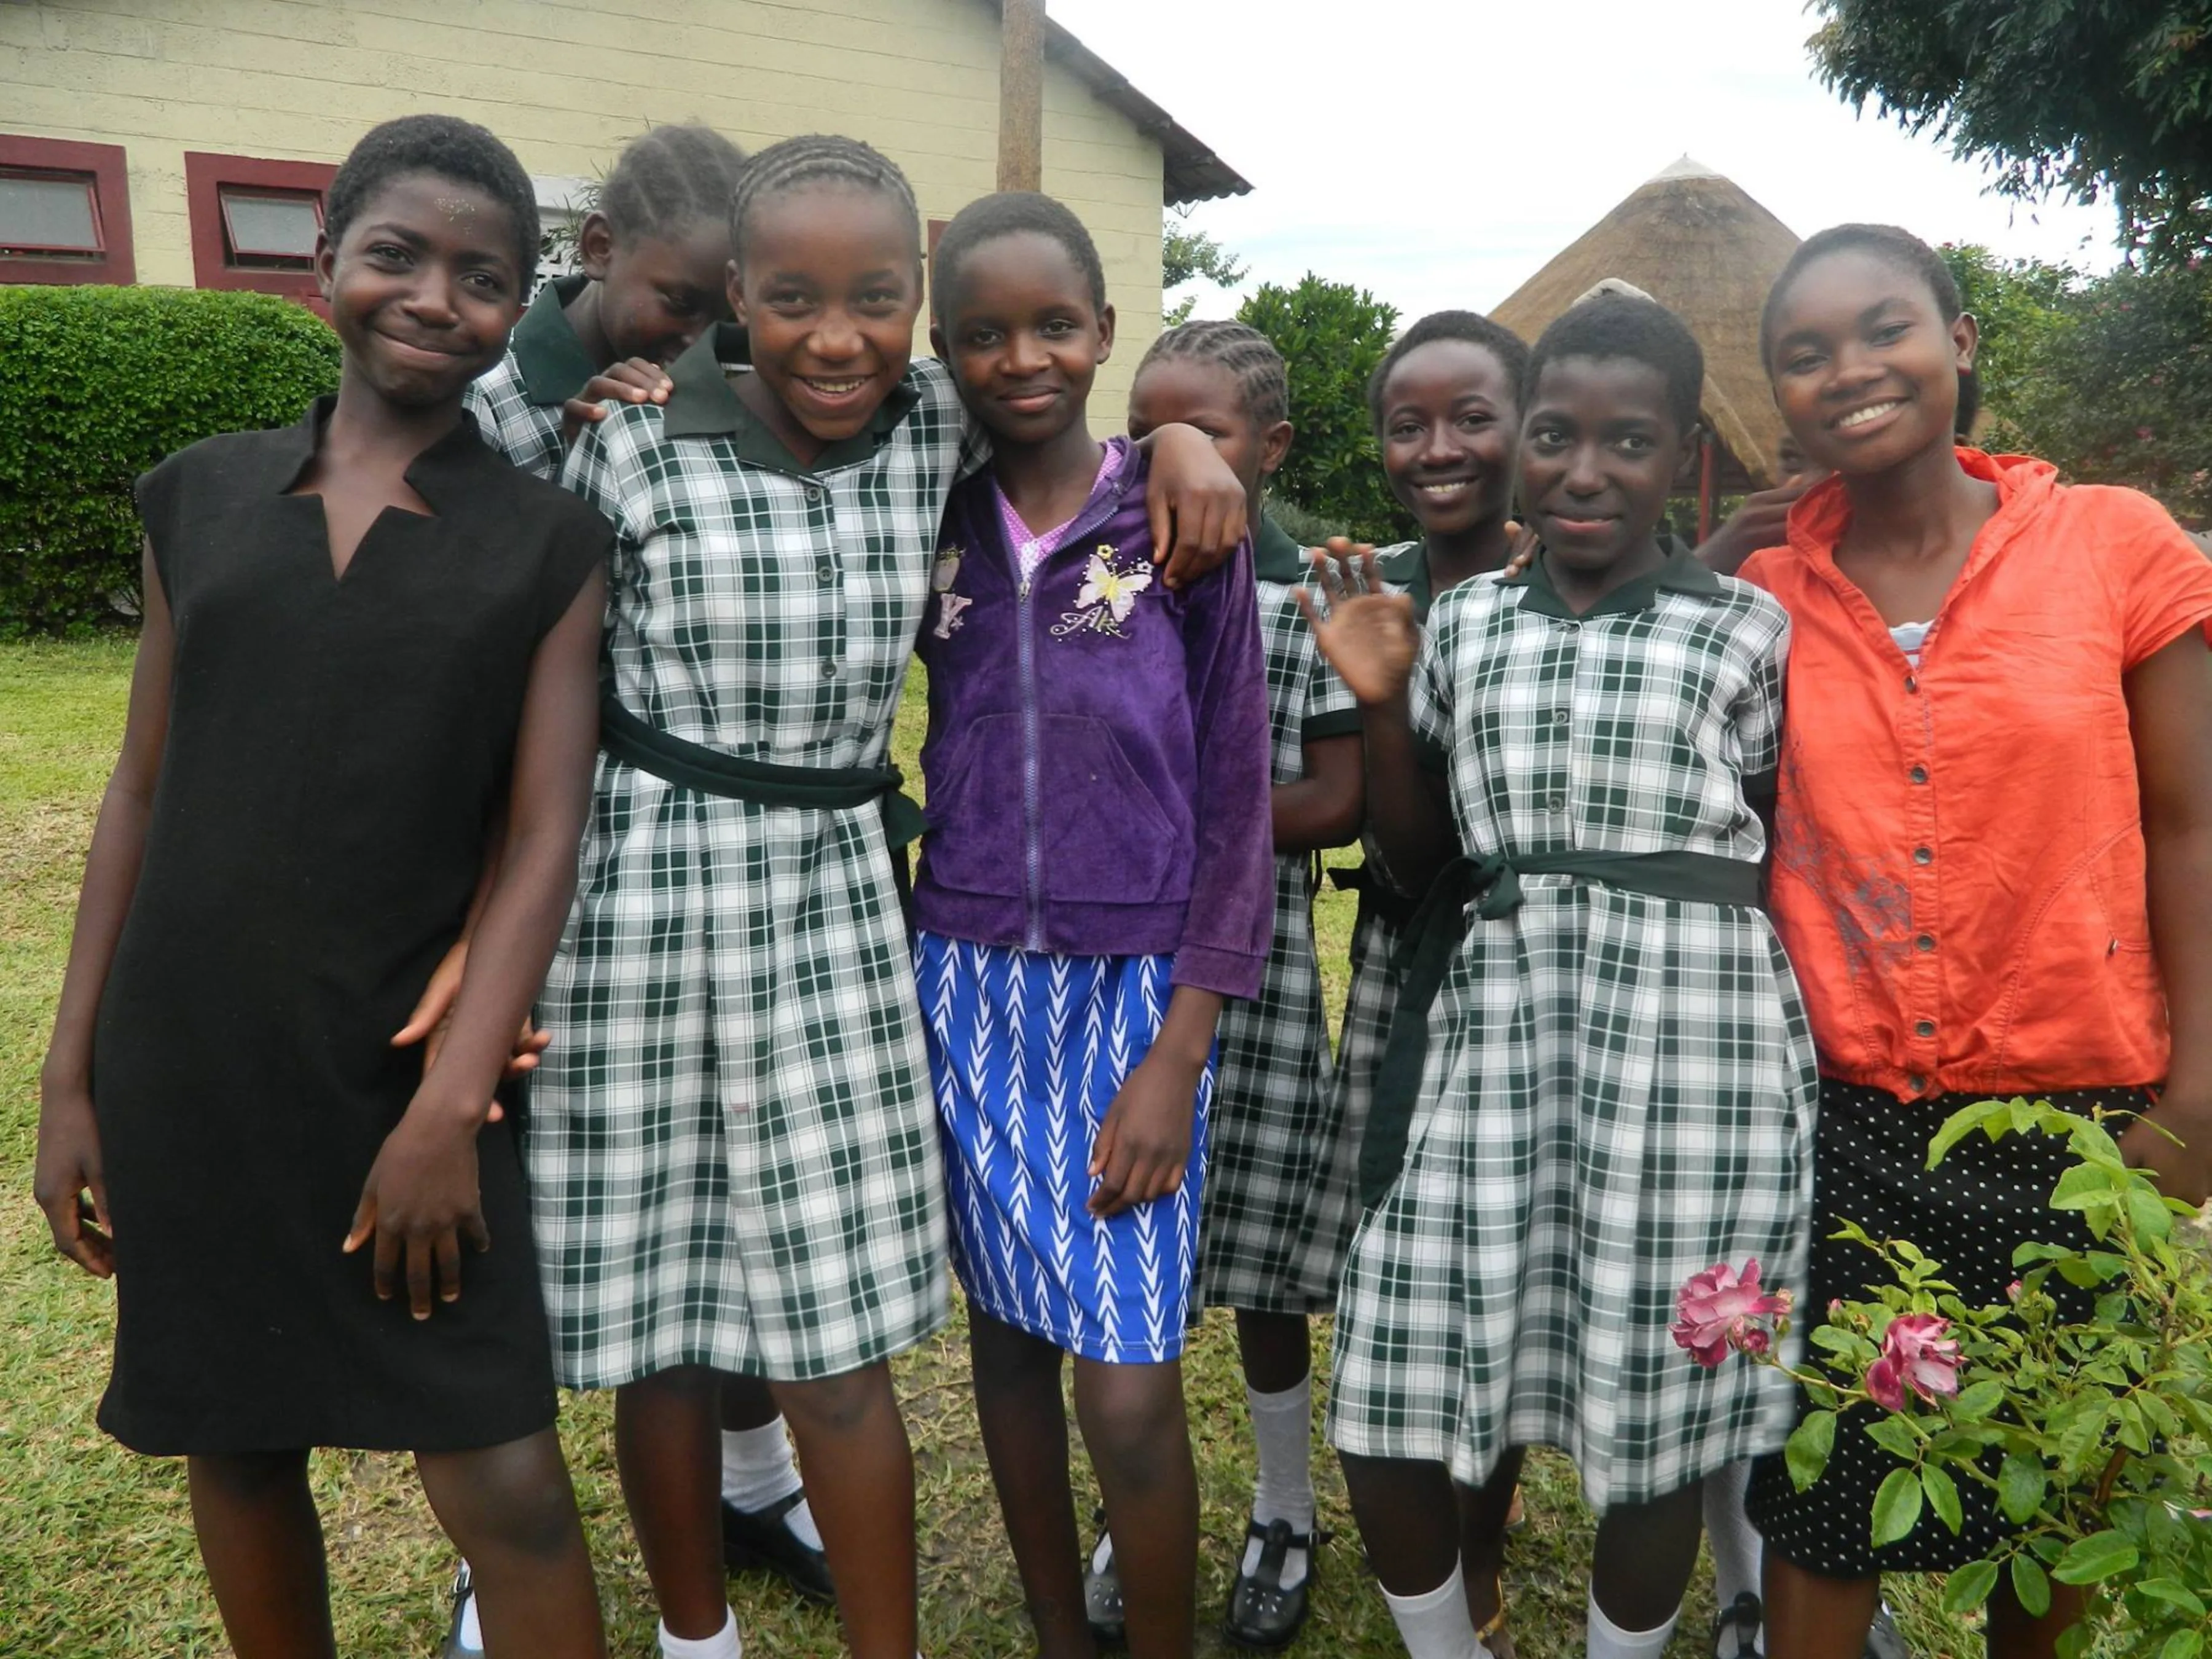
1620,1087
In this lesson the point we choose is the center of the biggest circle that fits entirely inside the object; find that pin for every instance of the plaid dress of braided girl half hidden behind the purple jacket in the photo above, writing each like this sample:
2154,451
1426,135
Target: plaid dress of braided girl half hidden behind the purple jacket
1275,1131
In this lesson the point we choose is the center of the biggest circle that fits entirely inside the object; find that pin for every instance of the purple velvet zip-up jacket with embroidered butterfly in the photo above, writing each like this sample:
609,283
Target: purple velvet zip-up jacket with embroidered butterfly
1098,747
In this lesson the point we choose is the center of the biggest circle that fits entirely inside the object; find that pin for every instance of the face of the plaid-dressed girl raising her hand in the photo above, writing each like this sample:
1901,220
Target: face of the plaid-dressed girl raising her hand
1598,459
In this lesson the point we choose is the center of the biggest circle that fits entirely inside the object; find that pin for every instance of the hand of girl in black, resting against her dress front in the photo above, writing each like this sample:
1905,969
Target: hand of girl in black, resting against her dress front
419,1204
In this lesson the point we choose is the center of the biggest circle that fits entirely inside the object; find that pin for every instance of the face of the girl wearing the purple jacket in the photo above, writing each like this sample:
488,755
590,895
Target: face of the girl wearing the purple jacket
1023,337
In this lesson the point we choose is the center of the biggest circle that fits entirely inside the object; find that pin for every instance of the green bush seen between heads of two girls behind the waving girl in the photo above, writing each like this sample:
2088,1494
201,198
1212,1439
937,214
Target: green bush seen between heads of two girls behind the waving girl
1333,337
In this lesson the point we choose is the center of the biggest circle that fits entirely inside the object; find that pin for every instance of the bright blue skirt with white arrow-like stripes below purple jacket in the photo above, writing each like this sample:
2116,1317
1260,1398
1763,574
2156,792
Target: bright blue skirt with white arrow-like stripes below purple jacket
1027,1054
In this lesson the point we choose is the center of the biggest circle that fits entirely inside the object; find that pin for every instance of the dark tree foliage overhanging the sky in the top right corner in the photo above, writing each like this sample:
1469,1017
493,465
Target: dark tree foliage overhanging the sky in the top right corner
2096,98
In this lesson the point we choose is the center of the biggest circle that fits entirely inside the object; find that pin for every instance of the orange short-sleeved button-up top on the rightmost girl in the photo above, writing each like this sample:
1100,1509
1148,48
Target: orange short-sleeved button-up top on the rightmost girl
1959,866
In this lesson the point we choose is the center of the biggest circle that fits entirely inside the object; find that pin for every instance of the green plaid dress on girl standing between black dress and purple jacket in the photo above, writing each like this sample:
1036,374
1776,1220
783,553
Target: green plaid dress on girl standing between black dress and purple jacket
733,1147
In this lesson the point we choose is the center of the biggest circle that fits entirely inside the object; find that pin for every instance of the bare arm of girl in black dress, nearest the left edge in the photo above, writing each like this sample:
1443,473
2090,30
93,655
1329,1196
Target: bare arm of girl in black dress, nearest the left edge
70,1162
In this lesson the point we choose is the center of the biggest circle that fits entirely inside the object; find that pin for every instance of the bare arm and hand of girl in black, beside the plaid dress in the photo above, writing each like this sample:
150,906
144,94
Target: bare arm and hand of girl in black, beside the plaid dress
421,1196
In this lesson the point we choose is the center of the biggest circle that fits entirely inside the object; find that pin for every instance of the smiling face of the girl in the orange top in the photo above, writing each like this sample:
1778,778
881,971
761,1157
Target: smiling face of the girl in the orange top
1864,364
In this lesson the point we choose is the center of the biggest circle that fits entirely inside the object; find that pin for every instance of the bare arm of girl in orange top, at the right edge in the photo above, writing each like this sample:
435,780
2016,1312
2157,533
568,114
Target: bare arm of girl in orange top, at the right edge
2171,713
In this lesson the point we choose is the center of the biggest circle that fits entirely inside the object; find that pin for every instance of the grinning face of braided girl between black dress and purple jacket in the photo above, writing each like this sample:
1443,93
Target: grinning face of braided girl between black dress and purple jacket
828,291
